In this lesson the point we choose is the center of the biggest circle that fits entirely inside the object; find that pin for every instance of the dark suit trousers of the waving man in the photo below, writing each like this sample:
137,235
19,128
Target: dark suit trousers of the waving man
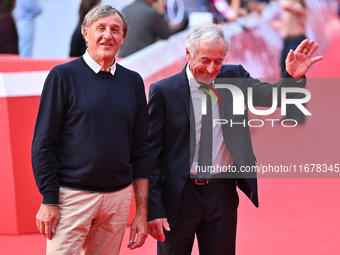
210,212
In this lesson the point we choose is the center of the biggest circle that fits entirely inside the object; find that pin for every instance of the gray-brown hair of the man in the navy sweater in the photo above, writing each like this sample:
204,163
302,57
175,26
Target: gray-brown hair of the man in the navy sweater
101,12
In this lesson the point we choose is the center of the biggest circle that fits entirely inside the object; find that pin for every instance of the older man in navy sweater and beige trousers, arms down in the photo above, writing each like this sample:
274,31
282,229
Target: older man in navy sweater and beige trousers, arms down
90,144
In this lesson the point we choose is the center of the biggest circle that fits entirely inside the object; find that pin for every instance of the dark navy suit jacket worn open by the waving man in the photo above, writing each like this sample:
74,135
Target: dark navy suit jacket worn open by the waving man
171,153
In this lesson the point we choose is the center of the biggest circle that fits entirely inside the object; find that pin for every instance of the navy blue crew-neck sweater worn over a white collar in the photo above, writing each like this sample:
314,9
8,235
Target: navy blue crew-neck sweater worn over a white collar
91,130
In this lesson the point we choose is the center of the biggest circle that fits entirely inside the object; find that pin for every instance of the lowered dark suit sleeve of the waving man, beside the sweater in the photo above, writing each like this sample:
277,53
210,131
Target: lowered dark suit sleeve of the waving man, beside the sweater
156,128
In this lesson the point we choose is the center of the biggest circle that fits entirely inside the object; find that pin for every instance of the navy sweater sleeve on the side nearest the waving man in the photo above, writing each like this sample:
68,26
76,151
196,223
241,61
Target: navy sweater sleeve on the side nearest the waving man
140,147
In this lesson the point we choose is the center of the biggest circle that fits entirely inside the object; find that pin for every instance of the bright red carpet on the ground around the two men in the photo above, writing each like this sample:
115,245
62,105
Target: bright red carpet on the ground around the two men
296,215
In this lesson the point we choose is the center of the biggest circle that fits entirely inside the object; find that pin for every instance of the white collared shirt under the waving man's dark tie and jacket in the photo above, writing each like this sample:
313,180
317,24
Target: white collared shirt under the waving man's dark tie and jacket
220,154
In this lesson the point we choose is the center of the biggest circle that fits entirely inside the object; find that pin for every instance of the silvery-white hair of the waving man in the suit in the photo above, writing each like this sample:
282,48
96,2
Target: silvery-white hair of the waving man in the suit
208,33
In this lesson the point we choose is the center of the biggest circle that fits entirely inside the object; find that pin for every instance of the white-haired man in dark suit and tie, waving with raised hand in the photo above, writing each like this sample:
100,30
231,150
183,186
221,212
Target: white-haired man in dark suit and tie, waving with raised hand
205,205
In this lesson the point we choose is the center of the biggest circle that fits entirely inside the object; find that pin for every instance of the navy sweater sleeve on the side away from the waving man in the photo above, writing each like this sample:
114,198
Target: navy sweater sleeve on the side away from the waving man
45,139
